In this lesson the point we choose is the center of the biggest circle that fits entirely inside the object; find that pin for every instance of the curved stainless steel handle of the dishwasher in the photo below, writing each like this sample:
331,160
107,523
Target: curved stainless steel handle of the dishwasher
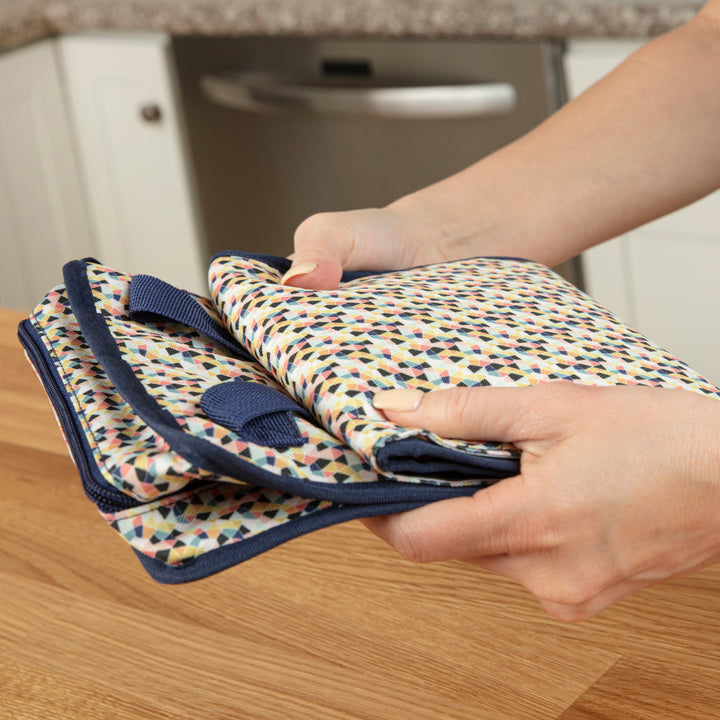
261,93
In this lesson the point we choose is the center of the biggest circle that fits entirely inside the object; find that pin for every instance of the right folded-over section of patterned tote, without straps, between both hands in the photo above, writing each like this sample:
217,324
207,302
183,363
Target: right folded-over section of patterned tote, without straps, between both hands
481,321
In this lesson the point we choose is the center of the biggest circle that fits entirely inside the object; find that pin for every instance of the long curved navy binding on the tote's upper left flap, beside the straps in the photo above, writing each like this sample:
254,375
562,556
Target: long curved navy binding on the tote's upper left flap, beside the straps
203,453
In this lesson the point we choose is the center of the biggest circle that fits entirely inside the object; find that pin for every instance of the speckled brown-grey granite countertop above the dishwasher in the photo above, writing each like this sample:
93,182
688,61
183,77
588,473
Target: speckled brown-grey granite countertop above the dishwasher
24,21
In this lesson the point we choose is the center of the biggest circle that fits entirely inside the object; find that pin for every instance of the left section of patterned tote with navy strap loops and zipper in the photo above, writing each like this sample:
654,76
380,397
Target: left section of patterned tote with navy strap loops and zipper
128,373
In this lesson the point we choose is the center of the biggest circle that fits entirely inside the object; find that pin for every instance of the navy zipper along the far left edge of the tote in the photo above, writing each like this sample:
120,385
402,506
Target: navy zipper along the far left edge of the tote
107,500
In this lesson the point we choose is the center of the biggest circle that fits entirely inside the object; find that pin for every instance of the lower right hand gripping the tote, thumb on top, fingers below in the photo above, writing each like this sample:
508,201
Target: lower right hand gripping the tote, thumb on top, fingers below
619,488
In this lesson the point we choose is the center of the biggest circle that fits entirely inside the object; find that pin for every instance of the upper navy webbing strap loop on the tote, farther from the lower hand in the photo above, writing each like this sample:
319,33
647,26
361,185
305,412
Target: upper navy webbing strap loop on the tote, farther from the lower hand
151,299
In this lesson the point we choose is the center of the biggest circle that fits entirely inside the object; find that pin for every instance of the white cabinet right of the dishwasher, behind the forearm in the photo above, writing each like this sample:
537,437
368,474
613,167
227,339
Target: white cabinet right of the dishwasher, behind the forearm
662,277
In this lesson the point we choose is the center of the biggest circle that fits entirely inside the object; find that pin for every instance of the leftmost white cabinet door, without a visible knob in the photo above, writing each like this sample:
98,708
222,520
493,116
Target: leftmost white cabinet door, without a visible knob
43,223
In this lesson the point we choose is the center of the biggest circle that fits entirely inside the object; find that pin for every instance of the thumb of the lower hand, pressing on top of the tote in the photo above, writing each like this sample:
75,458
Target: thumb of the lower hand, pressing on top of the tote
484,413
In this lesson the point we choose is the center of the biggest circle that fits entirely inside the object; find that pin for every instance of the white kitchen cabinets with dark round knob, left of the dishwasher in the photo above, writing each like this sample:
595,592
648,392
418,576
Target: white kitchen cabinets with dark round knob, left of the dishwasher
93,162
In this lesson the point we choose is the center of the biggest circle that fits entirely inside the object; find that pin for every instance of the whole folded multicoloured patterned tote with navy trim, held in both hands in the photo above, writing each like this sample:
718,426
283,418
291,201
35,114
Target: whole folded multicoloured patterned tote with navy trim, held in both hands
208,430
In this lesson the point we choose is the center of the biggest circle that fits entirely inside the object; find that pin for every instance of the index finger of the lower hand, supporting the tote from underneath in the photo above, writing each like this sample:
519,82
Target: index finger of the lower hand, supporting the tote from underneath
497,520
